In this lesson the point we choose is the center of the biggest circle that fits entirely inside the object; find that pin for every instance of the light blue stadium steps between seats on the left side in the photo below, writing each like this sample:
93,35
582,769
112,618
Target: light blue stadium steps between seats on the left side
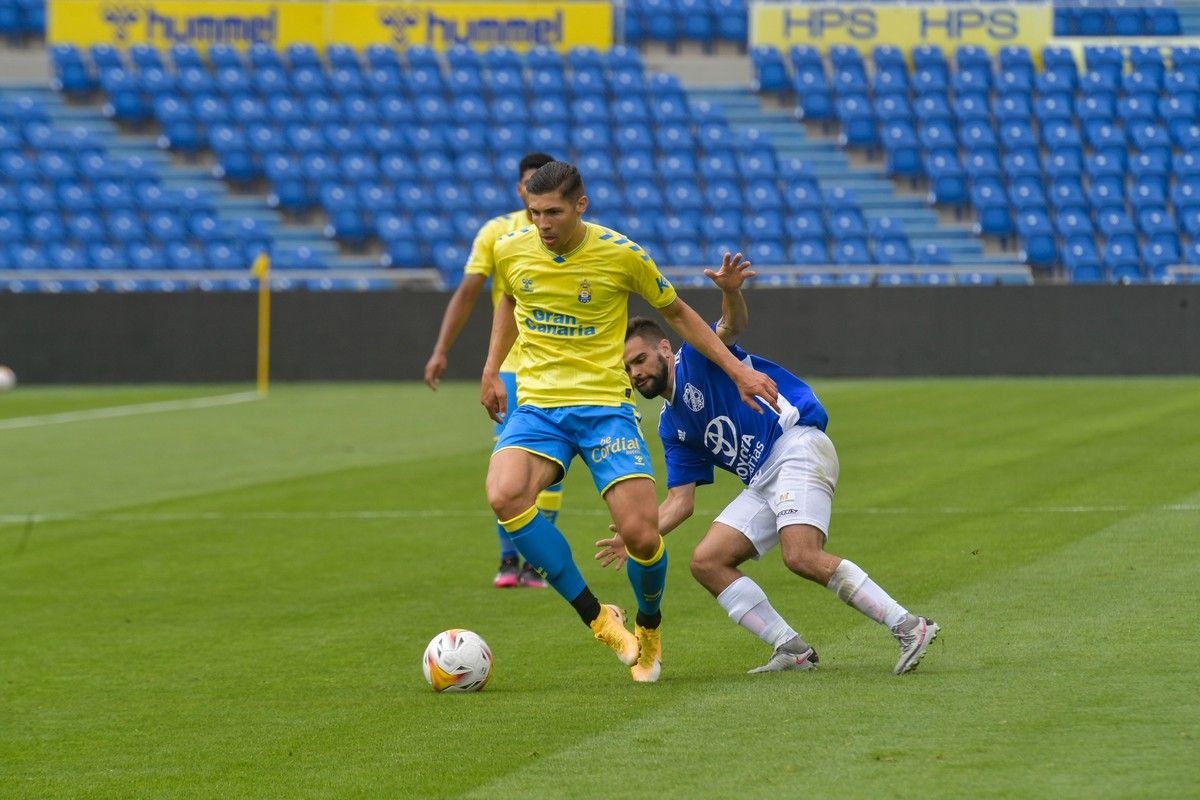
175,177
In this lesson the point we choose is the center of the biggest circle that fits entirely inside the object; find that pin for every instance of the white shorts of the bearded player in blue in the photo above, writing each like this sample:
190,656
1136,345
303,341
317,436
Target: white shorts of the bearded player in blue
794,488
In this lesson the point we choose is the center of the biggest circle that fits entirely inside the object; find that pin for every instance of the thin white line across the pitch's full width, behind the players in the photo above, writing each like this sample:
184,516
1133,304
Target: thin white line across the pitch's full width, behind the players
427,514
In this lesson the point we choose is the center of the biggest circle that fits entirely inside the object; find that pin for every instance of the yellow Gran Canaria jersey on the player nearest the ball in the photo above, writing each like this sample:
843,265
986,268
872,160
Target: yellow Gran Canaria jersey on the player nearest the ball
572,314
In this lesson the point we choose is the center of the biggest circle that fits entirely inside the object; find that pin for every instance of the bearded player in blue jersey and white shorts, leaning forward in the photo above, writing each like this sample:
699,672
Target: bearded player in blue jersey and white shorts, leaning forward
789,466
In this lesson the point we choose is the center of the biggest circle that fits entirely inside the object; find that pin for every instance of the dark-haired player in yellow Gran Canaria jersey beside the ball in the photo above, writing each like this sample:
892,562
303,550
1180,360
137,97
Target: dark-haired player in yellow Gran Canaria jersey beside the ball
567,285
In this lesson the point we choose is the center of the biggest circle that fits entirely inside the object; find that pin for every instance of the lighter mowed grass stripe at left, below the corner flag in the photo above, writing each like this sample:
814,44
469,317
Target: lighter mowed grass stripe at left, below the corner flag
297,431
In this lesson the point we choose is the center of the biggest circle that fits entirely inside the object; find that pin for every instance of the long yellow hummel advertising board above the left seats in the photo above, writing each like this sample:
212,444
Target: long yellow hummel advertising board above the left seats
163,23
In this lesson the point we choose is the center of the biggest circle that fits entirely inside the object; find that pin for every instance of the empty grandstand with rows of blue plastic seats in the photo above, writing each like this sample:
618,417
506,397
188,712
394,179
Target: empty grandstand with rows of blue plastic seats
364,167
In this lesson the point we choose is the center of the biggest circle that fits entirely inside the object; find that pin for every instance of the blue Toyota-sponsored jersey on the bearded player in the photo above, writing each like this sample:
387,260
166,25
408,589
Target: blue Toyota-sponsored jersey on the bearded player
707,425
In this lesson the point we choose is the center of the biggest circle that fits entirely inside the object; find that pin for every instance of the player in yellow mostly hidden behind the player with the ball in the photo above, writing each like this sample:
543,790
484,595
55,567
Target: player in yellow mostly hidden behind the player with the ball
479,269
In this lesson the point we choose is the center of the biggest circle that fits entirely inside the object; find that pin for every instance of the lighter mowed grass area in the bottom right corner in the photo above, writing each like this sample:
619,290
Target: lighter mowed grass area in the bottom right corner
1060,678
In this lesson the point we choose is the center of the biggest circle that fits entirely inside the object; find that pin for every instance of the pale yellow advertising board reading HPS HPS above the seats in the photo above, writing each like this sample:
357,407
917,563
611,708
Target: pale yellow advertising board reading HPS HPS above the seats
865,26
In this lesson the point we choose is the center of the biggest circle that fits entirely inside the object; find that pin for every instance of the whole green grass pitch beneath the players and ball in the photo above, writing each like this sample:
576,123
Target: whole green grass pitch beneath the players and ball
232,603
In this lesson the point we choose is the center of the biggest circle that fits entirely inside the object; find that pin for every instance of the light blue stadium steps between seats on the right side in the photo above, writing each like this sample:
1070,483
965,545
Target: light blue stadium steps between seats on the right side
875,191
